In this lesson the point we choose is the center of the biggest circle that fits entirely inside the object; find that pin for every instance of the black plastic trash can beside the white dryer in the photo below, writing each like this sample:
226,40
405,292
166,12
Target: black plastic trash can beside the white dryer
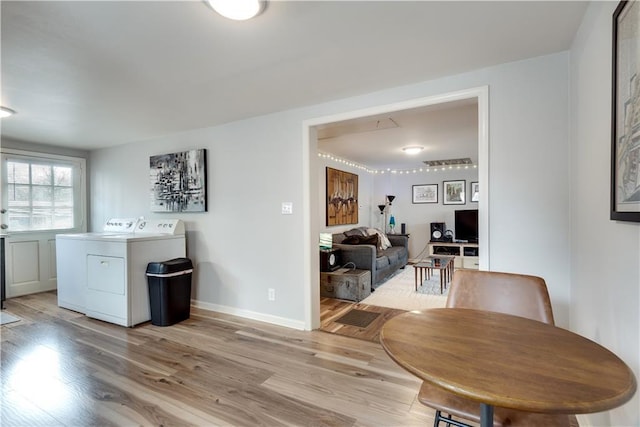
169,290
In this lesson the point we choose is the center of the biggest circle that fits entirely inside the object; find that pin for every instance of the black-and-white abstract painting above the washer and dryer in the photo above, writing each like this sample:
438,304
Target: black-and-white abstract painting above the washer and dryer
178,182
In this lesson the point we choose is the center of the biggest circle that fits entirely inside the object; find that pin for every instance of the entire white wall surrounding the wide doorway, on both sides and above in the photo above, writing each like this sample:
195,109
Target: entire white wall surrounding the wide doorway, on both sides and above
243,245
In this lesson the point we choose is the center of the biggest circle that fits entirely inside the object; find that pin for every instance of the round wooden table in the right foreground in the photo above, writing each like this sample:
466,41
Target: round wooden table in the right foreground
513,362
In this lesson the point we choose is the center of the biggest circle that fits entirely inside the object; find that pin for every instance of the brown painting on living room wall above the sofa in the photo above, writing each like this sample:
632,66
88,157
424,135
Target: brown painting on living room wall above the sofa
342,197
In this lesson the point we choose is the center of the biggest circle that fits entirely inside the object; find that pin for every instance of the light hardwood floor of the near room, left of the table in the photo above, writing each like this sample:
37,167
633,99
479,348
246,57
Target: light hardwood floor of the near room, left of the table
60,368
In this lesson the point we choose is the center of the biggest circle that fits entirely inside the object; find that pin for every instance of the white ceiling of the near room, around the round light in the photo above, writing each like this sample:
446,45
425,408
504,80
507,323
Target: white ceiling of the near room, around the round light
90,74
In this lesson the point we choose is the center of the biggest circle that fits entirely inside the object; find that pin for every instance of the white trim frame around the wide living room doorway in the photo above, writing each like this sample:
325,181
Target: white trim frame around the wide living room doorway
312,203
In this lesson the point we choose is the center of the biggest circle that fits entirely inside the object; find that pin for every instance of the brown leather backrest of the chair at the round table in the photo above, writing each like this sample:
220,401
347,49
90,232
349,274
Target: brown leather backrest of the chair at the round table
516,294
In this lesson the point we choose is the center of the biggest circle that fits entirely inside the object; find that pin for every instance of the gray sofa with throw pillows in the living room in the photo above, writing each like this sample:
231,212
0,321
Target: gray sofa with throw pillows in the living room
382,264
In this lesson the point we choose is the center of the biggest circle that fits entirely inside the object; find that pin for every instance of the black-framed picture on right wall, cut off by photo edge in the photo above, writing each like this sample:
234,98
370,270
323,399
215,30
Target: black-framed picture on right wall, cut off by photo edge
625,120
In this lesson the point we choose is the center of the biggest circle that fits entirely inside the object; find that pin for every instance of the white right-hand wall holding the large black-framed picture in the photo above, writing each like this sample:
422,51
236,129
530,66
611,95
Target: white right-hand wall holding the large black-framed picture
605,254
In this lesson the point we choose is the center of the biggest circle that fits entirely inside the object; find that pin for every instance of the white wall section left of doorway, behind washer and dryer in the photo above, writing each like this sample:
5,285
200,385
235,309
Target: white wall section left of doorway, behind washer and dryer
243,245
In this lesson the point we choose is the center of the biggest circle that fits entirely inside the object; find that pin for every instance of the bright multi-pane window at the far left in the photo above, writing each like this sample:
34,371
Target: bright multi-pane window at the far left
43,192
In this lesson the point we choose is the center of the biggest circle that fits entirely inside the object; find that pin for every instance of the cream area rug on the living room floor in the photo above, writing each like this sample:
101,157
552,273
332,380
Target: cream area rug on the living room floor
399,292
